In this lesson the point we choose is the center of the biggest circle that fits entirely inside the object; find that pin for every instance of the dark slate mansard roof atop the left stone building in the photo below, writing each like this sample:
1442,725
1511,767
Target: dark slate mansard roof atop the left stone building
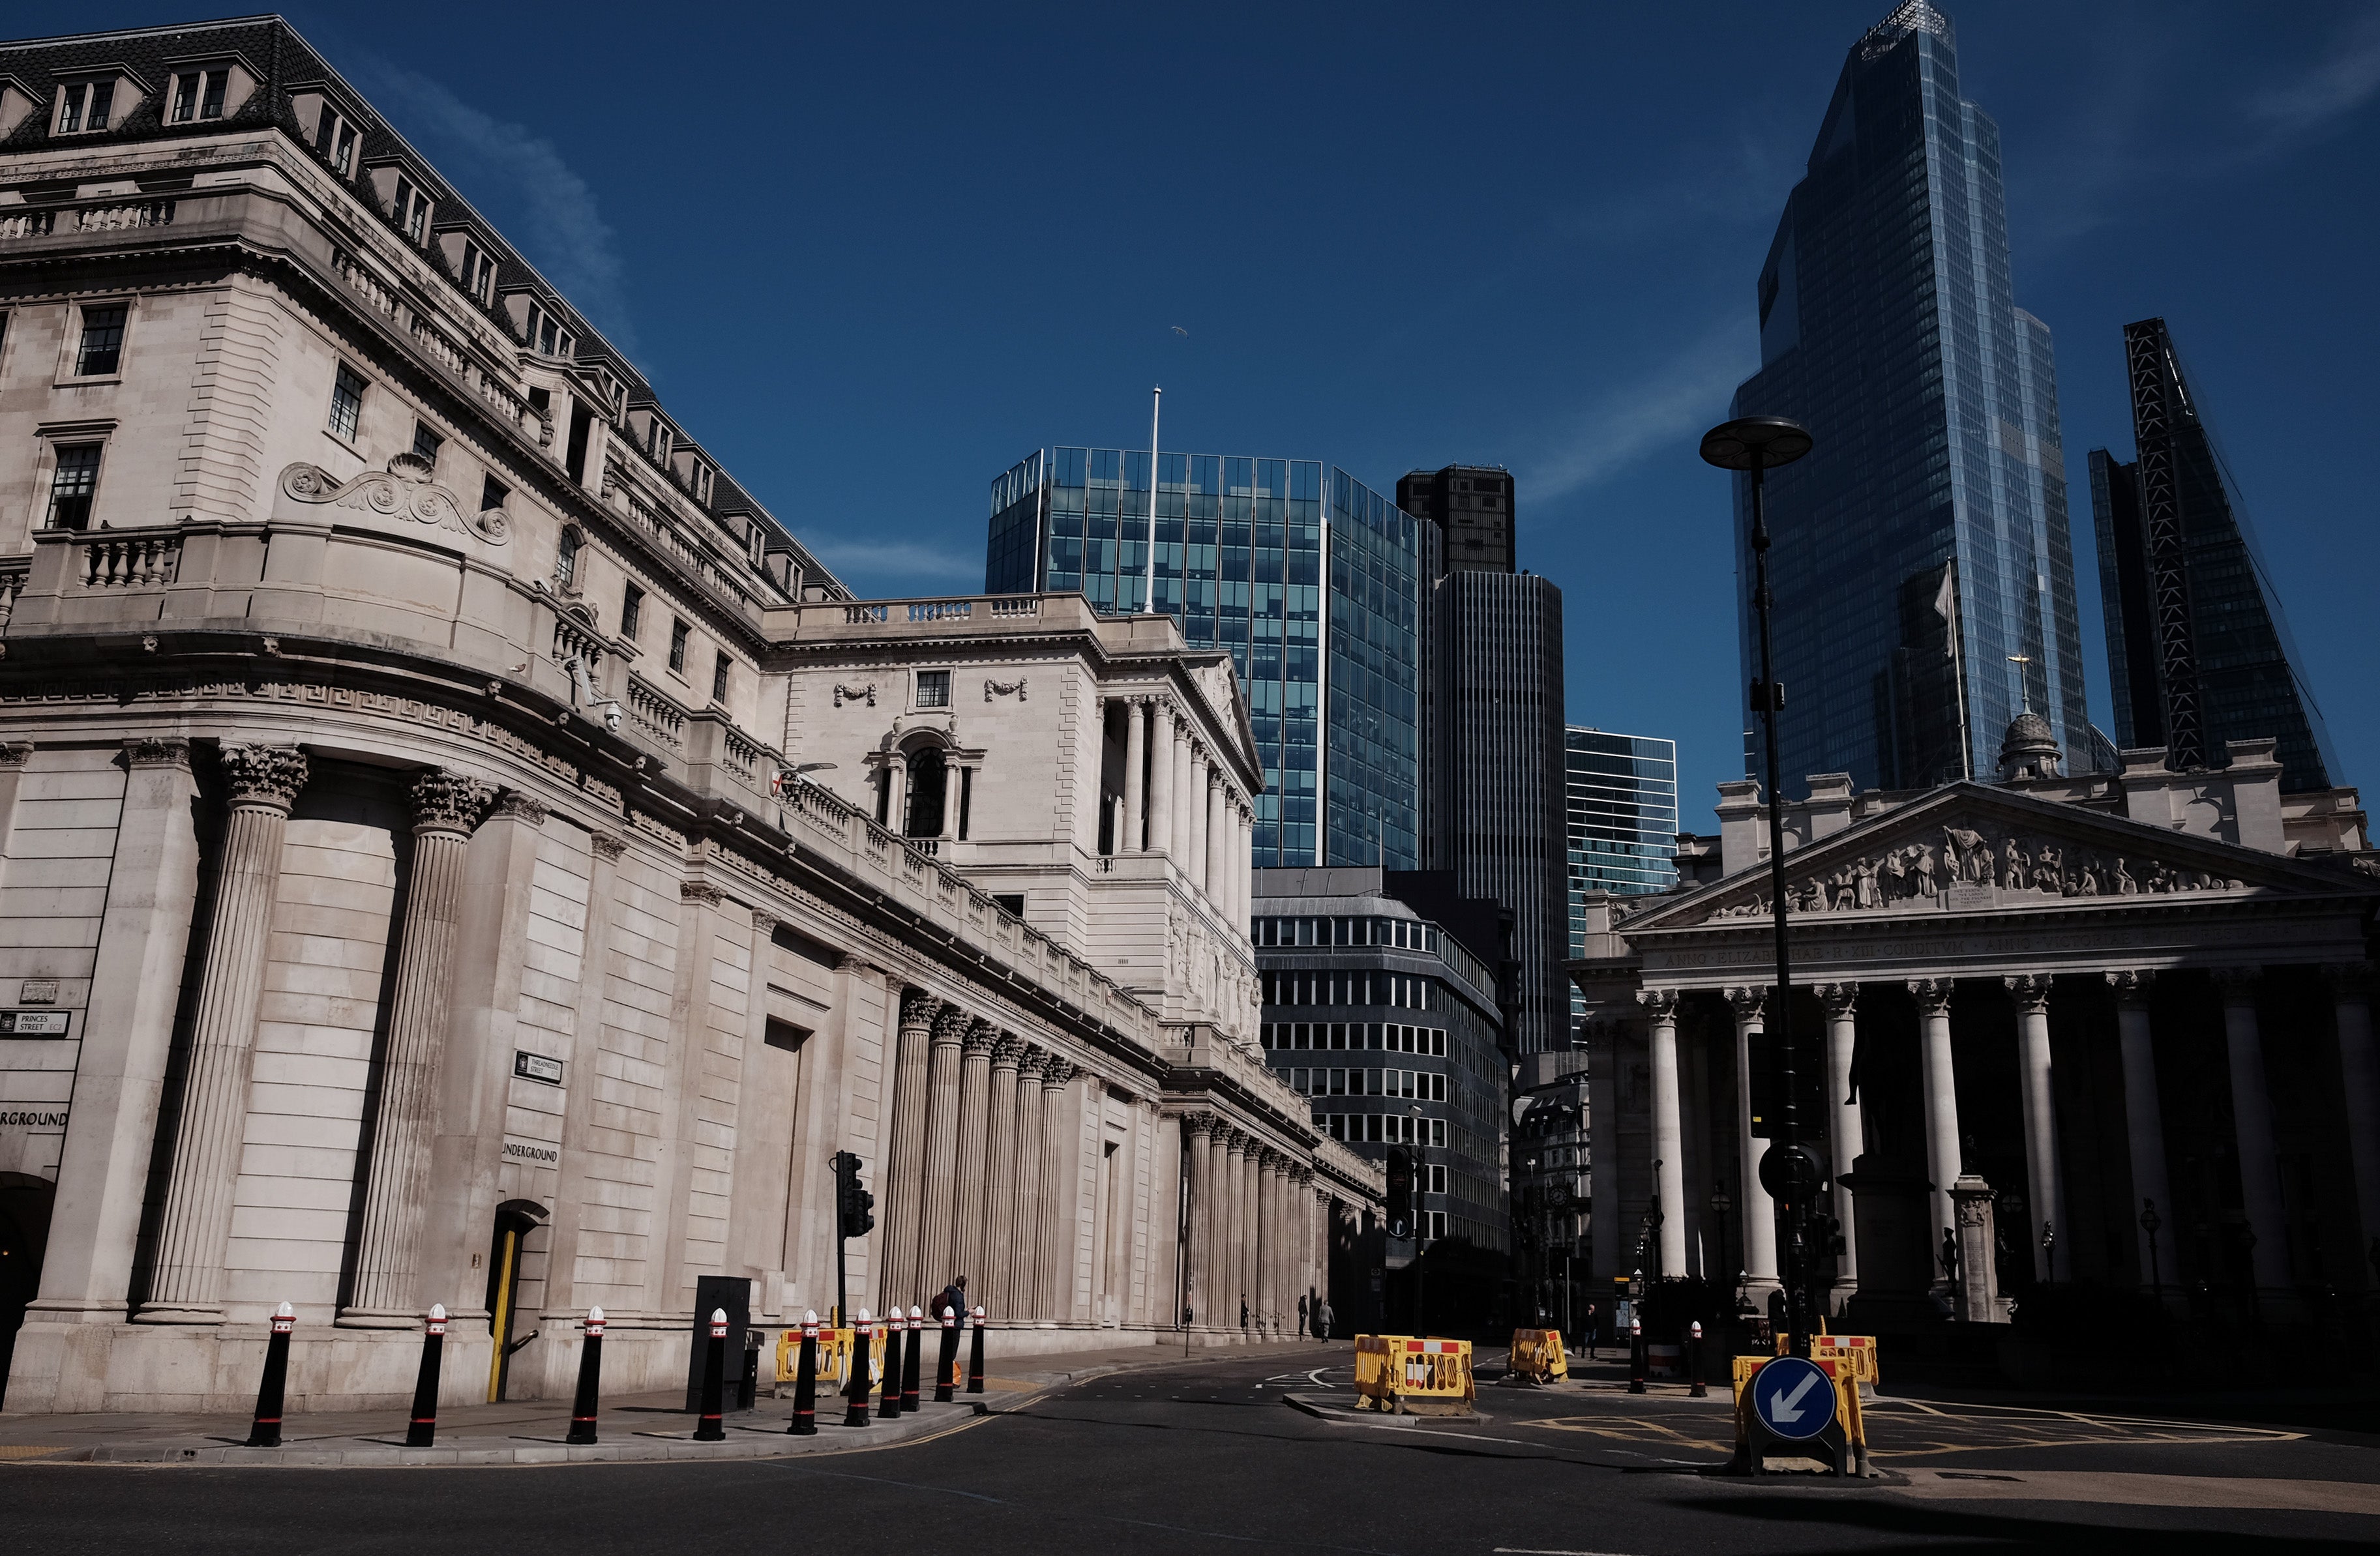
287,65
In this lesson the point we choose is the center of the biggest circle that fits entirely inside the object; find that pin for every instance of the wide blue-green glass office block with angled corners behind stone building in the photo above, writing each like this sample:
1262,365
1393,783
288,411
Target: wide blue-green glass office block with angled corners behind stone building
1294,565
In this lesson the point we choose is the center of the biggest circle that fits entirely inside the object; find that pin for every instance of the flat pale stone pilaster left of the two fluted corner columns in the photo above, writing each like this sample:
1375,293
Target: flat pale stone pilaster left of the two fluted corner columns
120,1072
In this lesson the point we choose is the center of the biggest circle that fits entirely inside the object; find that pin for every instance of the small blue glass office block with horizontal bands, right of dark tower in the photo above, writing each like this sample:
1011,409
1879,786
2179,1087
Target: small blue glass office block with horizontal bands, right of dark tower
1622,822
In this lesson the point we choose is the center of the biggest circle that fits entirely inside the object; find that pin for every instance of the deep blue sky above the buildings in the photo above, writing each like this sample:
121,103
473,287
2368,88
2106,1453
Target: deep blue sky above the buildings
877,253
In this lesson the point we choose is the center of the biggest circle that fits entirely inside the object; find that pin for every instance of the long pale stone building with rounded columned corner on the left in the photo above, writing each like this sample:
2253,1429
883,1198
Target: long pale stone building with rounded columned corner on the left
406,886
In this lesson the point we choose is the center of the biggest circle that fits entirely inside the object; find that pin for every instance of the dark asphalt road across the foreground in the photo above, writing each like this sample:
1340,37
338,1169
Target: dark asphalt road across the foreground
1208,1457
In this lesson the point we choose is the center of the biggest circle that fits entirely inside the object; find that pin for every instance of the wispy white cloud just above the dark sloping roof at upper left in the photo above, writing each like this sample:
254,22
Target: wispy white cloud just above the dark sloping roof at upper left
525,184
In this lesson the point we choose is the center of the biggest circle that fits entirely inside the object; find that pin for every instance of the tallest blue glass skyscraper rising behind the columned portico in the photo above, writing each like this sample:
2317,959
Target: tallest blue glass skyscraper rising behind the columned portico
1922,567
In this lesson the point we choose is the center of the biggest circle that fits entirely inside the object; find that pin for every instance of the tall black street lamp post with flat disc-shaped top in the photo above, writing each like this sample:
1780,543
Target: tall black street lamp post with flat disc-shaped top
1789,1169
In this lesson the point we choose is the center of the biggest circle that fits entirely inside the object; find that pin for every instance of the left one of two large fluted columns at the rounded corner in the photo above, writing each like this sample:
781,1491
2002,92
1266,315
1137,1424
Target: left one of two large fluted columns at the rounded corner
192,1236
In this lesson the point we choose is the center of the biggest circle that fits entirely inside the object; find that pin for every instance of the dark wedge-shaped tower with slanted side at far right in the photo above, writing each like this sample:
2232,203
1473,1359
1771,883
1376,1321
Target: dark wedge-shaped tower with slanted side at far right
2196,644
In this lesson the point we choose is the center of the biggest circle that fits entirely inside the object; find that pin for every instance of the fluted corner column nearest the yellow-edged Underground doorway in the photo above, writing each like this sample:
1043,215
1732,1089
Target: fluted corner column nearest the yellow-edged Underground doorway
396,1188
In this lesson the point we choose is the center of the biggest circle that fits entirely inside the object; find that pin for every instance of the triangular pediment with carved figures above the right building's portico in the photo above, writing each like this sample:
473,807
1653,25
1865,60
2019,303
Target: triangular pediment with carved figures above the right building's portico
1974,848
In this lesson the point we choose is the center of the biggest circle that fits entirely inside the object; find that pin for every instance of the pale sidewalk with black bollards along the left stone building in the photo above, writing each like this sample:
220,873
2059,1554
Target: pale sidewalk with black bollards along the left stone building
637,1429
